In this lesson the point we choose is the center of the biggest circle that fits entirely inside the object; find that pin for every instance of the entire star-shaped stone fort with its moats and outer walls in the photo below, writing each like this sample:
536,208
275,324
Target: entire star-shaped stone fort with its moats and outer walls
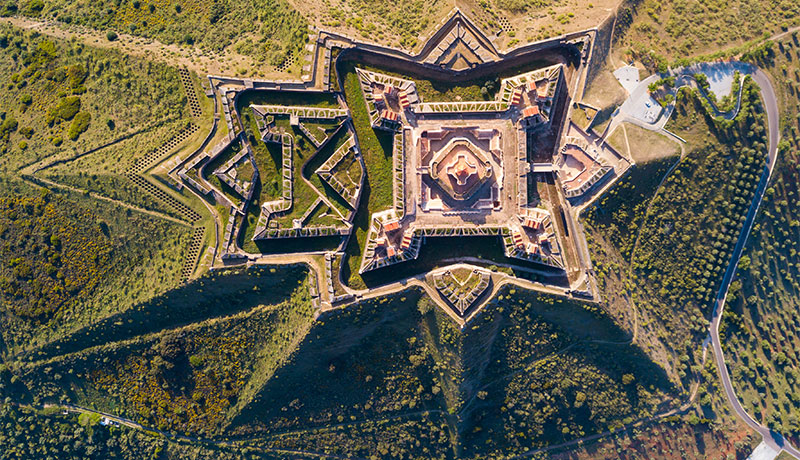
457,169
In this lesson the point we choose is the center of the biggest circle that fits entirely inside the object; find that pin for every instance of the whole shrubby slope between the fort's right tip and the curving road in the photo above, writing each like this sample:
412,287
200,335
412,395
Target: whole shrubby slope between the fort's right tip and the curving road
667,263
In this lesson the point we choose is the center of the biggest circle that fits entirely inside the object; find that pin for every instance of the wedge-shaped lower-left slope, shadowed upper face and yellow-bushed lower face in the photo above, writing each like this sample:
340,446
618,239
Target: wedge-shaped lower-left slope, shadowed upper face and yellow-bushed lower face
187,369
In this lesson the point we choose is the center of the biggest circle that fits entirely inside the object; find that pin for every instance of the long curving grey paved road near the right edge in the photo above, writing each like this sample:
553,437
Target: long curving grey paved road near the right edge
771,438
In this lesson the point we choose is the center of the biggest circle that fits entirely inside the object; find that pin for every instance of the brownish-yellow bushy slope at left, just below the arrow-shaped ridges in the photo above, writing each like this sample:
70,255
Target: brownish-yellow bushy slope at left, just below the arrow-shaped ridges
66,259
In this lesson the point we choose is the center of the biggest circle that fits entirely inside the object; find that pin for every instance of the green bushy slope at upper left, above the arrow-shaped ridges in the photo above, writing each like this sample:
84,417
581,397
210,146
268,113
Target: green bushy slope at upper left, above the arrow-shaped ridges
55,92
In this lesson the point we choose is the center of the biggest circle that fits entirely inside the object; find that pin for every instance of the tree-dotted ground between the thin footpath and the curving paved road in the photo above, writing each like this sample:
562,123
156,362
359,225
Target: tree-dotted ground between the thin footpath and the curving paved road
700,212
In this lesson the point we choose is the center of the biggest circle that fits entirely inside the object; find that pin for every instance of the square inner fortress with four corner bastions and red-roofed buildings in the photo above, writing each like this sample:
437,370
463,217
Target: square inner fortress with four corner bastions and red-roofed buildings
462,169
